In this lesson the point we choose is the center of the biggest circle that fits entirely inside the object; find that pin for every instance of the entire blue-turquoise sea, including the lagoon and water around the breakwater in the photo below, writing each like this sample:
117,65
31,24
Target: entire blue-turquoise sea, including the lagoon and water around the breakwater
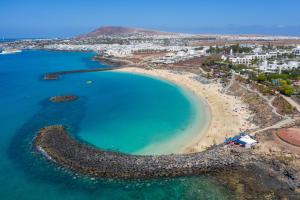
131,105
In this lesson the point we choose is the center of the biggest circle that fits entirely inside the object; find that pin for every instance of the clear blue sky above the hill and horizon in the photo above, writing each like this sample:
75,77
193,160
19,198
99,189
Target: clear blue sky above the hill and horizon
67,18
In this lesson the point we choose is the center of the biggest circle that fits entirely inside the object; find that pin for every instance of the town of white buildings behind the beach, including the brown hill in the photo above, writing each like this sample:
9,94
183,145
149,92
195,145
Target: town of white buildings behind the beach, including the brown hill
273,61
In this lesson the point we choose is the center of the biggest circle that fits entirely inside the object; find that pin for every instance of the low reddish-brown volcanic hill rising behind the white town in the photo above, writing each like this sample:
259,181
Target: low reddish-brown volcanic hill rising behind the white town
119,31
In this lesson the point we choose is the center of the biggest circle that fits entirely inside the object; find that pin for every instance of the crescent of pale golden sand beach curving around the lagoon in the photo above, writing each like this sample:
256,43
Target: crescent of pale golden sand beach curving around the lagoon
229,115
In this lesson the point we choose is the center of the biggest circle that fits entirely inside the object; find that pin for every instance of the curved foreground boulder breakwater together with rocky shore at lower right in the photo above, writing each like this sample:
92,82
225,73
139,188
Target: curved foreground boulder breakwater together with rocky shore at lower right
242,170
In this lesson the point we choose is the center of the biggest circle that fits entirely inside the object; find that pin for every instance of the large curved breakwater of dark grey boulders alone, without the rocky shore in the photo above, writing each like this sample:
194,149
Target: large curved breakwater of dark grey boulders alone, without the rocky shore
65,150
